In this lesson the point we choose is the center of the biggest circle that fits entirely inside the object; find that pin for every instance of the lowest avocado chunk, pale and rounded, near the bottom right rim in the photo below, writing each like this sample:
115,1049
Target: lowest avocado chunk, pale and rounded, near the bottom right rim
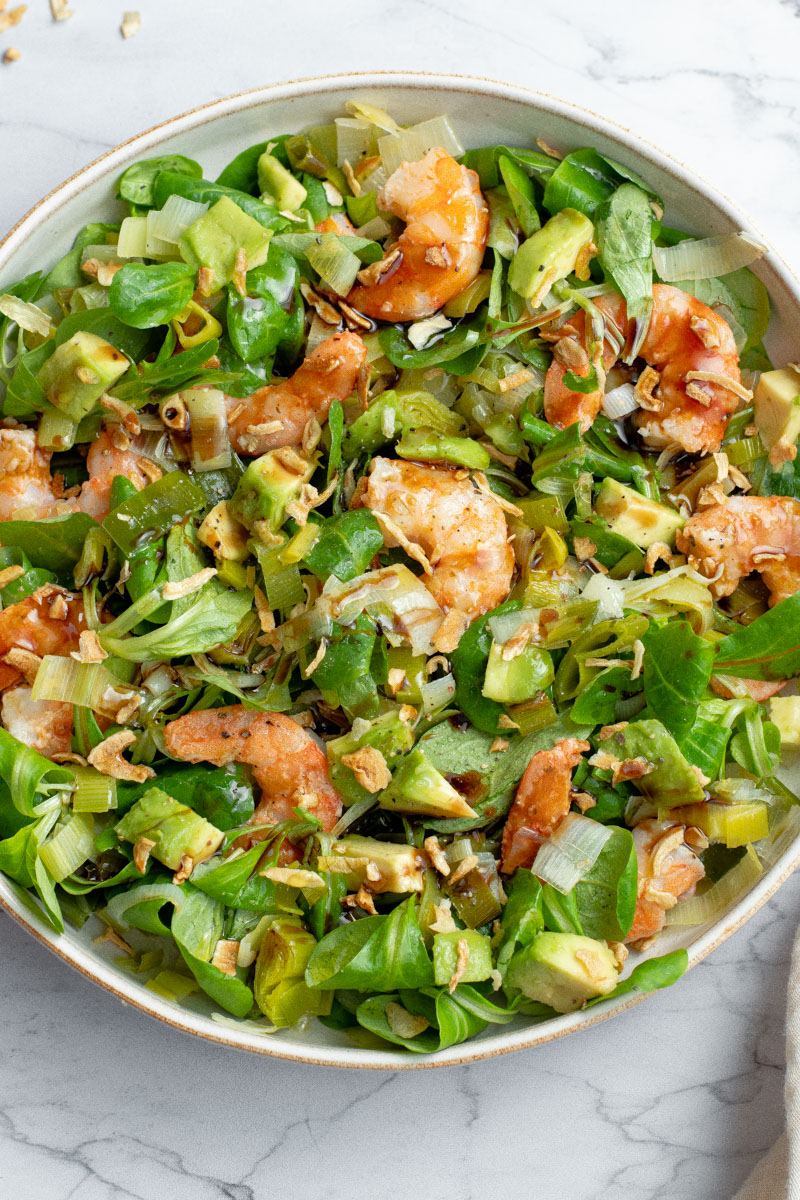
563,970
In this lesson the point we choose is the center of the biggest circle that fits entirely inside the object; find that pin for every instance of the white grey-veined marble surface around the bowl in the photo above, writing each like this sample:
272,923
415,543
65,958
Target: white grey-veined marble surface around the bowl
677,1099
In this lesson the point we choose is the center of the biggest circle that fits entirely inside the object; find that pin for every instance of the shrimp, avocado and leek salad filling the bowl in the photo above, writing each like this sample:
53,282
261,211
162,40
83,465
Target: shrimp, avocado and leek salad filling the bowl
399,565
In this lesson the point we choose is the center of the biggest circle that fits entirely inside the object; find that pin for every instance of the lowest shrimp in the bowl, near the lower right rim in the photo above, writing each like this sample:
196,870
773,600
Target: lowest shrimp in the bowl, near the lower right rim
669,871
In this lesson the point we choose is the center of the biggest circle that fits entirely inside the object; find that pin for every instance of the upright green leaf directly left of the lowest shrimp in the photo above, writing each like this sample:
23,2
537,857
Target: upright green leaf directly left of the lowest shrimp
606,897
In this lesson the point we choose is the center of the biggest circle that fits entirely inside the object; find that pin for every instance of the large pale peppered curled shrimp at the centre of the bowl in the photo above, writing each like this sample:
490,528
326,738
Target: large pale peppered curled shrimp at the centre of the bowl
456,532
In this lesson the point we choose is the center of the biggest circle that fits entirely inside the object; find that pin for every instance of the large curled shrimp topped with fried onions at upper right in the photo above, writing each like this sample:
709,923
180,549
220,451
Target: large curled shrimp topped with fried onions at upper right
684,339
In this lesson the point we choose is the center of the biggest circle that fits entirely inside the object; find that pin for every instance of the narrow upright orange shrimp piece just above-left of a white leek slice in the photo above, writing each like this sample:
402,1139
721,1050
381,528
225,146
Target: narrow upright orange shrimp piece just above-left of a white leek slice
542,803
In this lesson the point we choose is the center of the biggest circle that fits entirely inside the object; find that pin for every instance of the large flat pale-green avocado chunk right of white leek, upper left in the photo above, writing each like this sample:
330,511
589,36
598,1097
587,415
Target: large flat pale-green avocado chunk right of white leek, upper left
215,239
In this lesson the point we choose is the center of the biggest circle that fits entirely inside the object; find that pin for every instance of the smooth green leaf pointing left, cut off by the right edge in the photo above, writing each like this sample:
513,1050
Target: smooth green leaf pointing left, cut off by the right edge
769,649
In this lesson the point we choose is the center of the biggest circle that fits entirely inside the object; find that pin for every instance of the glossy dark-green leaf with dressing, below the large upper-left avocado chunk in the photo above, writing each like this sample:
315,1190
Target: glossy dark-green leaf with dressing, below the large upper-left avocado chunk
258,321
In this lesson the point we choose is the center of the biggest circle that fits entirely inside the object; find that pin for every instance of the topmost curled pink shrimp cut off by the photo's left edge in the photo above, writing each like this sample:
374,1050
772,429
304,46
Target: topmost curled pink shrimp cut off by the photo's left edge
27,484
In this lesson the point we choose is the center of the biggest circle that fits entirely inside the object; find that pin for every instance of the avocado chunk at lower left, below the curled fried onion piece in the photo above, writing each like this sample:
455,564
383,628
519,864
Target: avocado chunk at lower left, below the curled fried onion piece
175,829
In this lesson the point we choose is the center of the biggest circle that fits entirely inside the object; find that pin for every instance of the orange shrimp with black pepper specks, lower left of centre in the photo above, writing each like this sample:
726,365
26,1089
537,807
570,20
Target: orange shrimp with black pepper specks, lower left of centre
288,766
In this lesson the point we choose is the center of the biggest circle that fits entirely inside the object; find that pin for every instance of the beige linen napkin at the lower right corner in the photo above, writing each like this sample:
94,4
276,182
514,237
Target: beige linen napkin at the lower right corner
778,1175
